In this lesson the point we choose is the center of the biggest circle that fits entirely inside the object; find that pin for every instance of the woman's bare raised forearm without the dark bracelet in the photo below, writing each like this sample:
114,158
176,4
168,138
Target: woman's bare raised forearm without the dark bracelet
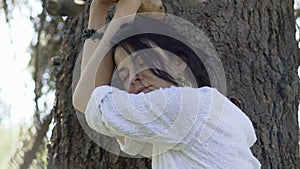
98,68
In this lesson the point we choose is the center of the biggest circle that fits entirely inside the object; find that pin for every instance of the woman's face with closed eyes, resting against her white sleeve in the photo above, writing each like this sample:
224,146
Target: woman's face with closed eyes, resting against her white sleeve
135,74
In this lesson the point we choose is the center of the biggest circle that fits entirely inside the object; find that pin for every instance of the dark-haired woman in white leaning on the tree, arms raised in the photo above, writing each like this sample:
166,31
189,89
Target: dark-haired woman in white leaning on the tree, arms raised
166,110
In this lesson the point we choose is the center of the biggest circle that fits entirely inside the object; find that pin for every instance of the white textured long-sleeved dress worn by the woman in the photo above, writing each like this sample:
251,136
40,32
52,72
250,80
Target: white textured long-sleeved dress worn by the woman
178,127
